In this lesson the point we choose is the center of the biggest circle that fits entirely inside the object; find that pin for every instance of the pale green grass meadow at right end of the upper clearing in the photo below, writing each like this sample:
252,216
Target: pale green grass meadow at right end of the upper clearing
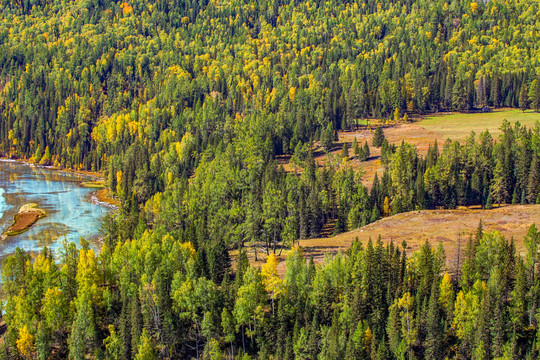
458,126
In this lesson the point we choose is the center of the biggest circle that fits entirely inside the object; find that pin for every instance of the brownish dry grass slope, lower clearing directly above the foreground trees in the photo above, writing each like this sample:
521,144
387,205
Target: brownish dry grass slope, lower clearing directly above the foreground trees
445,226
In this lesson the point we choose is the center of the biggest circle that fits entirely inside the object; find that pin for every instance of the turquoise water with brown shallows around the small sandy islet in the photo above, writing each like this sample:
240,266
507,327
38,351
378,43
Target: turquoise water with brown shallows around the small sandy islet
71,213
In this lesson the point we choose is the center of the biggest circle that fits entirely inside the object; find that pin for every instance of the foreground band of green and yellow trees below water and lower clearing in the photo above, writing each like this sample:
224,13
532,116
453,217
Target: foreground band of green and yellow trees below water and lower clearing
152,298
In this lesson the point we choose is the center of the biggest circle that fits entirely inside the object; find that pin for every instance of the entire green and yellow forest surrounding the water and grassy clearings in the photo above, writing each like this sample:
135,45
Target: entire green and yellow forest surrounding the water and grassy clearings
187,109
